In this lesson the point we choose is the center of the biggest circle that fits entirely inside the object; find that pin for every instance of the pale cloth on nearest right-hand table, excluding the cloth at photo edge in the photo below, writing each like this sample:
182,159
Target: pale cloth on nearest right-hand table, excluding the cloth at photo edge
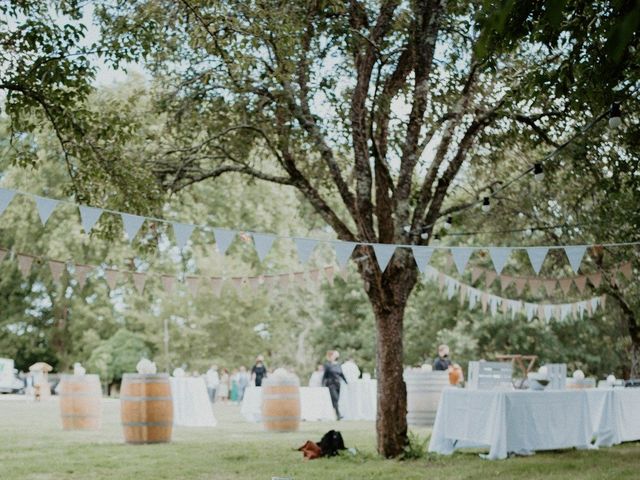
511,421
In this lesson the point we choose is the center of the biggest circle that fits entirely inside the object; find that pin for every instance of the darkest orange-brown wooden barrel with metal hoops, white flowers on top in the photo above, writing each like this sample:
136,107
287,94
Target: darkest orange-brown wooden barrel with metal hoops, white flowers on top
146,408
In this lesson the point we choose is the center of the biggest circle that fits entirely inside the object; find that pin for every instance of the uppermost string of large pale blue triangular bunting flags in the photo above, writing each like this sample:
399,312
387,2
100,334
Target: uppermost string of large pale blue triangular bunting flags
263,242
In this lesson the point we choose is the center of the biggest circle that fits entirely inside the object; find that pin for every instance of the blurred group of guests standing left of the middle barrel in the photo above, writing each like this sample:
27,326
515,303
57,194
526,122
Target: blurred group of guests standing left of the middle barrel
225,387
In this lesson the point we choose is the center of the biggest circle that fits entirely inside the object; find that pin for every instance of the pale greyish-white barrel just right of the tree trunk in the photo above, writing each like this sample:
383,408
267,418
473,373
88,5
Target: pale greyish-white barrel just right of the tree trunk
423,395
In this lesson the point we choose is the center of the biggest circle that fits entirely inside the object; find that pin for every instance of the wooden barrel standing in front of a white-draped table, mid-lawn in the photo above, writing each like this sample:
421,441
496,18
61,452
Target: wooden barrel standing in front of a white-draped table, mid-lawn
281,403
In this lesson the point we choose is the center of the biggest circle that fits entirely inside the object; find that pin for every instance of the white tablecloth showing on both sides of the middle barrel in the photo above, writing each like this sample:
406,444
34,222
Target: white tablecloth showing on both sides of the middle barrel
315,404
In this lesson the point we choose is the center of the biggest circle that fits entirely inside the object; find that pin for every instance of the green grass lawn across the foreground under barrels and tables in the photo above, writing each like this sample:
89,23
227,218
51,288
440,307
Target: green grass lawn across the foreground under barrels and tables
33,446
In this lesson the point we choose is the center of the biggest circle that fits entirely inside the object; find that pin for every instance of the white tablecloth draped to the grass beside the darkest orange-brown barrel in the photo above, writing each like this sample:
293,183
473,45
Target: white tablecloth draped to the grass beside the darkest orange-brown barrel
191,406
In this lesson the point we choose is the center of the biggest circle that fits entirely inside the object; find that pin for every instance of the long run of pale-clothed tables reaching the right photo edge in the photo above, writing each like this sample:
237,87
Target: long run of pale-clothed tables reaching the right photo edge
525,421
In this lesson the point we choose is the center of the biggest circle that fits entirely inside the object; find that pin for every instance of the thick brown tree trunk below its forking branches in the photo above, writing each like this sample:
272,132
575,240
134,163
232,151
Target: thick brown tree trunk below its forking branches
388,294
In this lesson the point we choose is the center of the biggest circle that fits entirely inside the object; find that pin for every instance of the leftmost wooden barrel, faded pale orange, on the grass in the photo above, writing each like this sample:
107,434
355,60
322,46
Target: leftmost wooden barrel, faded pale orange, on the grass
80,402
